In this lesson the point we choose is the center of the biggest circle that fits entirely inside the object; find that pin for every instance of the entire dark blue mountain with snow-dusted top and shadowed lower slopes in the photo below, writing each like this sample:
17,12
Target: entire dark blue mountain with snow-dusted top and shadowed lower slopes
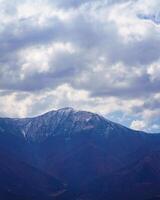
77,155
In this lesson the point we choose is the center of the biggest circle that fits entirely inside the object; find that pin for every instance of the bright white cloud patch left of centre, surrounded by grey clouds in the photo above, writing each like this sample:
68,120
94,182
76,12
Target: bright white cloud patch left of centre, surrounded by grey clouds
37,59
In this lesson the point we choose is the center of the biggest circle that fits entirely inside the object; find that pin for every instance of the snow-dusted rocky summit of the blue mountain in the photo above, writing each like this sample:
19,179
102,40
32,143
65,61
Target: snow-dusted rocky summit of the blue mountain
65,121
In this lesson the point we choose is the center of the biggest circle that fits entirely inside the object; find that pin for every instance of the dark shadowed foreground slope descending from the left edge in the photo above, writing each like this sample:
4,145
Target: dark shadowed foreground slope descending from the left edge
18,179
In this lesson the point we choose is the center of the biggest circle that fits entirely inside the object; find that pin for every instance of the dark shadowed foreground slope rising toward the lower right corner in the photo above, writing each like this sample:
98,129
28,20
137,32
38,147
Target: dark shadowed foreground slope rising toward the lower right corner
141,180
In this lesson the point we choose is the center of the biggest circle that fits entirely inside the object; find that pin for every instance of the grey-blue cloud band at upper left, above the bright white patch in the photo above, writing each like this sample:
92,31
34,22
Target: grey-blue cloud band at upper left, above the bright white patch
28,35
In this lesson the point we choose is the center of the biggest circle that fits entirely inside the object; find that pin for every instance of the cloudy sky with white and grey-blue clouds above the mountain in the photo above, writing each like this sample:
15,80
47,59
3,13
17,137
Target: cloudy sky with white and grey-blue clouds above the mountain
101,56
